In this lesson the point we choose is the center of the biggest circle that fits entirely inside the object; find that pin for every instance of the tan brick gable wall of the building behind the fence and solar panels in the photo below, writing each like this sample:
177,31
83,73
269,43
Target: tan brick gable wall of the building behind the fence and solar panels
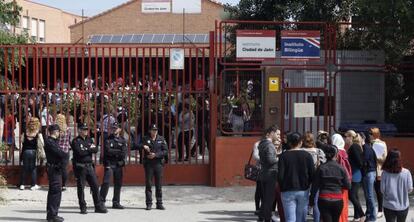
128,19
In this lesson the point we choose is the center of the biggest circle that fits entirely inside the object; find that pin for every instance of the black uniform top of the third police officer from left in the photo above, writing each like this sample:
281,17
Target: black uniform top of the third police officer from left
115,151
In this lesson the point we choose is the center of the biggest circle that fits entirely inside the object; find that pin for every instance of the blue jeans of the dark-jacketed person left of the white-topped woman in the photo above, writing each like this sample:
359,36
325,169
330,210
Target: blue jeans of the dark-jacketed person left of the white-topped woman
368,182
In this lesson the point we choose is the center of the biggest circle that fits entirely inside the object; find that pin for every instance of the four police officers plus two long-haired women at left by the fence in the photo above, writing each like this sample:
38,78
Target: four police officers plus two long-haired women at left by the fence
55,149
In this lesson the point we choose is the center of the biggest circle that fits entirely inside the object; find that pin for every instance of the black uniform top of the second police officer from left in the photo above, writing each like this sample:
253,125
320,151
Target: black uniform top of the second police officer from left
82,151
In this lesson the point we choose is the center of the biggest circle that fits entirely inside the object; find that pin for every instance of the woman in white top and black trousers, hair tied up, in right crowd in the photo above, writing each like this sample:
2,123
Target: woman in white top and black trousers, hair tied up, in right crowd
380,149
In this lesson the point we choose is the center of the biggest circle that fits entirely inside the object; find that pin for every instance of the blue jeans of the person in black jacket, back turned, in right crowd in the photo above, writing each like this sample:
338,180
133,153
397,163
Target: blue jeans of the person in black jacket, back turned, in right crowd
295,205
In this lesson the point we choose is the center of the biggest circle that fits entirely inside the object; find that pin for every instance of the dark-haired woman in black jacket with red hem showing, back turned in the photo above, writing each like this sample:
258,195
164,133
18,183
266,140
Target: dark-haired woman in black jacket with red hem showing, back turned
330,179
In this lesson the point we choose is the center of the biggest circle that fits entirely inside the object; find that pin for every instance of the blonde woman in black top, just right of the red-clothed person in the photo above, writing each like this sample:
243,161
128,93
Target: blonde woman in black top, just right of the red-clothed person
355,155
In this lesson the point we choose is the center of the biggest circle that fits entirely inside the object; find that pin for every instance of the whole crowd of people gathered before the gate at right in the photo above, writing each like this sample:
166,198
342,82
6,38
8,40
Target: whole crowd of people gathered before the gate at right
325,173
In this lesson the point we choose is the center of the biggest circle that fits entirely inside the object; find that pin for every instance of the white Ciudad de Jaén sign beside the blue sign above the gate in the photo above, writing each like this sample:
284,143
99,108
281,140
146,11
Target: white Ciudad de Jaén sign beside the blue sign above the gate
256,45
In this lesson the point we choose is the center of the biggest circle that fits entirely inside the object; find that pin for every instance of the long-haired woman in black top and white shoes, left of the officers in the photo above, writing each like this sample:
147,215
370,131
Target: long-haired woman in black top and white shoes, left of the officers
32,150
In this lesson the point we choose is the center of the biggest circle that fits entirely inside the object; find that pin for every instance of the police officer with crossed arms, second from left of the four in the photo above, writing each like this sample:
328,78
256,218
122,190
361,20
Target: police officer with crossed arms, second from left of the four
83,147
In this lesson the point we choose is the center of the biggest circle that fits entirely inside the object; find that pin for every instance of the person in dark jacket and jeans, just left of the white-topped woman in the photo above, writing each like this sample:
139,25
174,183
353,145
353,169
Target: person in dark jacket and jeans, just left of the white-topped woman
369,168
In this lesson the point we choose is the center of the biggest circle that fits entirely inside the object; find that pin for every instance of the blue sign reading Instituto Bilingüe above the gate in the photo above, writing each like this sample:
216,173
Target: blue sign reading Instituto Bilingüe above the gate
302,45
